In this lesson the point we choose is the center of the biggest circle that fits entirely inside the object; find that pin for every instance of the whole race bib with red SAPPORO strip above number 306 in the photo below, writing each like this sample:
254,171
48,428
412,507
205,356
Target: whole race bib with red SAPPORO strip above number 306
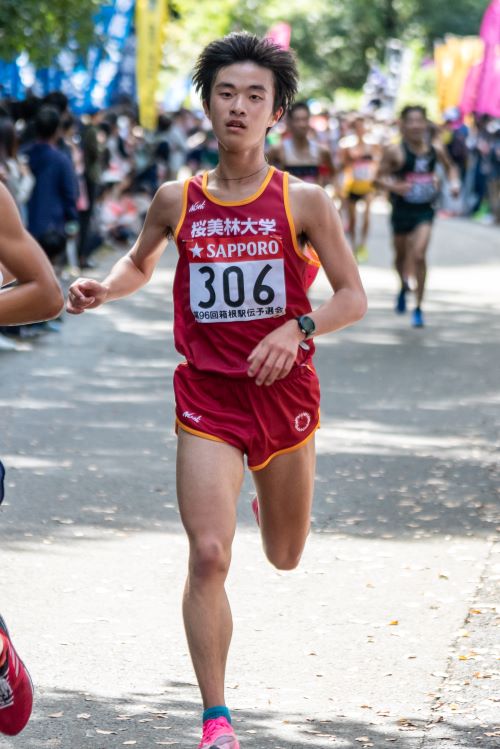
235,279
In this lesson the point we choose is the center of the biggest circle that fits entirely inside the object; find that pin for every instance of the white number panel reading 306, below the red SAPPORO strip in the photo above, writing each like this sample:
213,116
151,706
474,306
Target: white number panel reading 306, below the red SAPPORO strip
225,292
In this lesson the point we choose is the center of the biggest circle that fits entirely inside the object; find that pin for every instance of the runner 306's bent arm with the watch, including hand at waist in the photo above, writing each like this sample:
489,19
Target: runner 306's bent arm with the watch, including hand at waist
315,215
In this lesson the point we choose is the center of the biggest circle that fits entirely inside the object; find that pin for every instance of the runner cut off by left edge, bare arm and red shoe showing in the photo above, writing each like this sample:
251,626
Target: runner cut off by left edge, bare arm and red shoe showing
37,296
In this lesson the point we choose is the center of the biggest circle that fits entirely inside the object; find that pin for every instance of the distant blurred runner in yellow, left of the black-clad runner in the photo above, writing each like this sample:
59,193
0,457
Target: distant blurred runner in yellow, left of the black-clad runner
360,156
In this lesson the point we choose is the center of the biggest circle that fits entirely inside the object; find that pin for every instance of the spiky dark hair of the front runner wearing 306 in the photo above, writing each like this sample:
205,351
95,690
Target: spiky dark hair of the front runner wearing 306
240,46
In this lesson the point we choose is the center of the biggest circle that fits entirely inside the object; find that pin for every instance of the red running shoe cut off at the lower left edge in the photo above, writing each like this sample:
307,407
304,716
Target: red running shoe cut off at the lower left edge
16,687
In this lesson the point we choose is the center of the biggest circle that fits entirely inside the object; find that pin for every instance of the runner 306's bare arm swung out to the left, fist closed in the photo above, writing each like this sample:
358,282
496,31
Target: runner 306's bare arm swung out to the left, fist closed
135,269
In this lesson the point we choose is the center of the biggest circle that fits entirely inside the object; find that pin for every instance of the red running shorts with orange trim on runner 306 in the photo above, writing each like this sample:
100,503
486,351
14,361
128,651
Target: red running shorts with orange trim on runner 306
261,421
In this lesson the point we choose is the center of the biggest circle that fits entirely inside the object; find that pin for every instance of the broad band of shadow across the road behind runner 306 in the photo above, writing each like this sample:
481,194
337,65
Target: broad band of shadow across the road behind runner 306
408,446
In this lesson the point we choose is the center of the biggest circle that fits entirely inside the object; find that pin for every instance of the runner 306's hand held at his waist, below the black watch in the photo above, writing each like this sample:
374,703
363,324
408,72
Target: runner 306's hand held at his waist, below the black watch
273,358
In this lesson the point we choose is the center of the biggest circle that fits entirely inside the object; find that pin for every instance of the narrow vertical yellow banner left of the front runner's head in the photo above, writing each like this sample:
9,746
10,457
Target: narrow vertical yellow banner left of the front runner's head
150,20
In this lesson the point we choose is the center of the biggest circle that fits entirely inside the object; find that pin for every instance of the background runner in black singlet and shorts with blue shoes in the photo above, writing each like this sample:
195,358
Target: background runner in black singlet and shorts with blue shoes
407,171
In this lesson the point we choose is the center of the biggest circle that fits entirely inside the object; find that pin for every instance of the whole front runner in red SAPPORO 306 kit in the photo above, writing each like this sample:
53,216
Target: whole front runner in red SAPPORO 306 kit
241,317
